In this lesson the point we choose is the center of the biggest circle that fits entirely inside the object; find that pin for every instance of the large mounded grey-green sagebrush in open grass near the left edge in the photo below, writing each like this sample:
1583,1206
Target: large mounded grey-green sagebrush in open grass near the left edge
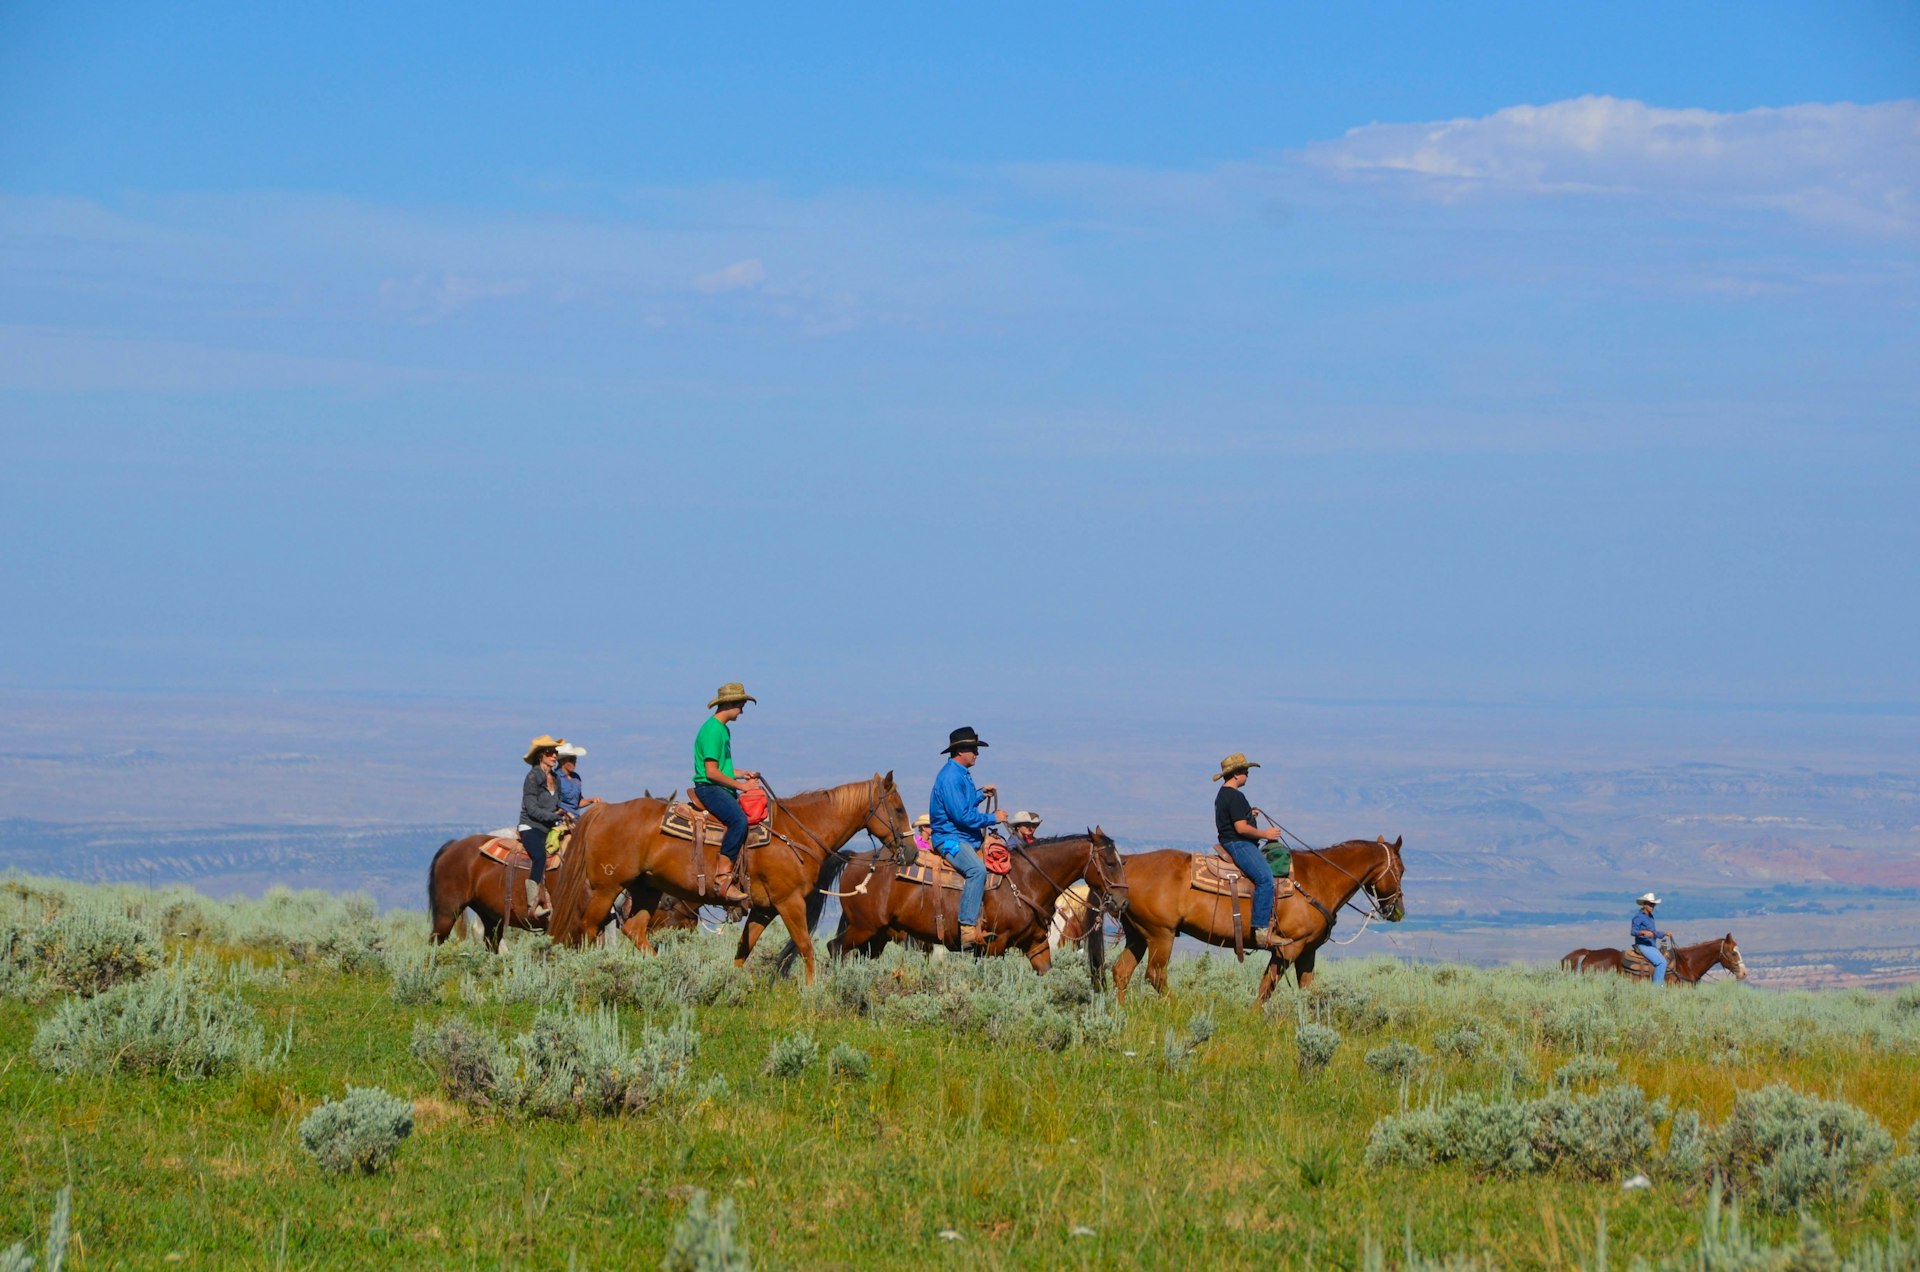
178,1023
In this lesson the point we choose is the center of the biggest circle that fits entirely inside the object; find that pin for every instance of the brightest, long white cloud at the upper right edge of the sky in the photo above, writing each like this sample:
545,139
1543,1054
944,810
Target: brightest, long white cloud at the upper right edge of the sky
1833,164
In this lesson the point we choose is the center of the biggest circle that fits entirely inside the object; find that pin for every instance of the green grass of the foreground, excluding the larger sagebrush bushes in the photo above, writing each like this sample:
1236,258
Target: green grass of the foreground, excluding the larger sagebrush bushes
1074,1137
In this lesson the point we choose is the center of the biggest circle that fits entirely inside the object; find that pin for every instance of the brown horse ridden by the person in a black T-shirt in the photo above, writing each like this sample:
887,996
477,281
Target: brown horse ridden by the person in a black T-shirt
1161,906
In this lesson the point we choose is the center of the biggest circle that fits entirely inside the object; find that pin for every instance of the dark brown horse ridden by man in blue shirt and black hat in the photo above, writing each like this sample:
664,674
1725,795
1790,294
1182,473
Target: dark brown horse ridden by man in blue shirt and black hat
880,908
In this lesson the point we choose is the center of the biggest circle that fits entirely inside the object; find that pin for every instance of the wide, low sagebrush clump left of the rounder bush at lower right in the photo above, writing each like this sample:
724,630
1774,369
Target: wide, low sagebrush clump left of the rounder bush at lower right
1596,1137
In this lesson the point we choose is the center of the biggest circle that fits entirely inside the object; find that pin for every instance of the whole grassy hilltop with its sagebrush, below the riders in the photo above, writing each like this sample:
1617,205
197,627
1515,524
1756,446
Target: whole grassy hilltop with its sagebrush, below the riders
162,1052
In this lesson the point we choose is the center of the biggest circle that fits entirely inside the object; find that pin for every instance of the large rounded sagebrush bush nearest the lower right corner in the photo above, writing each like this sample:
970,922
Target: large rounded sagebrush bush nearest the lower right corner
1785,1148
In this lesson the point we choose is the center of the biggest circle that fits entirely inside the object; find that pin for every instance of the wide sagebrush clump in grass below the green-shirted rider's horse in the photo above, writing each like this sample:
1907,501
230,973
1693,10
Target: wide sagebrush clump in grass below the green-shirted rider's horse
569,1064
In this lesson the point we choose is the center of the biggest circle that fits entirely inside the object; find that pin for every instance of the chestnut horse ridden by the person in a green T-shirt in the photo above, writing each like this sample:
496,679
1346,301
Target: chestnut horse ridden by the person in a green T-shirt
621,846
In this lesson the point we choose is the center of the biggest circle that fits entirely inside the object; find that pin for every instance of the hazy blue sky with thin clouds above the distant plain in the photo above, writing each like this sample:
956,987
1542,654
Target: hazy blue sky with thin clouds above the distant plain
1049,358
